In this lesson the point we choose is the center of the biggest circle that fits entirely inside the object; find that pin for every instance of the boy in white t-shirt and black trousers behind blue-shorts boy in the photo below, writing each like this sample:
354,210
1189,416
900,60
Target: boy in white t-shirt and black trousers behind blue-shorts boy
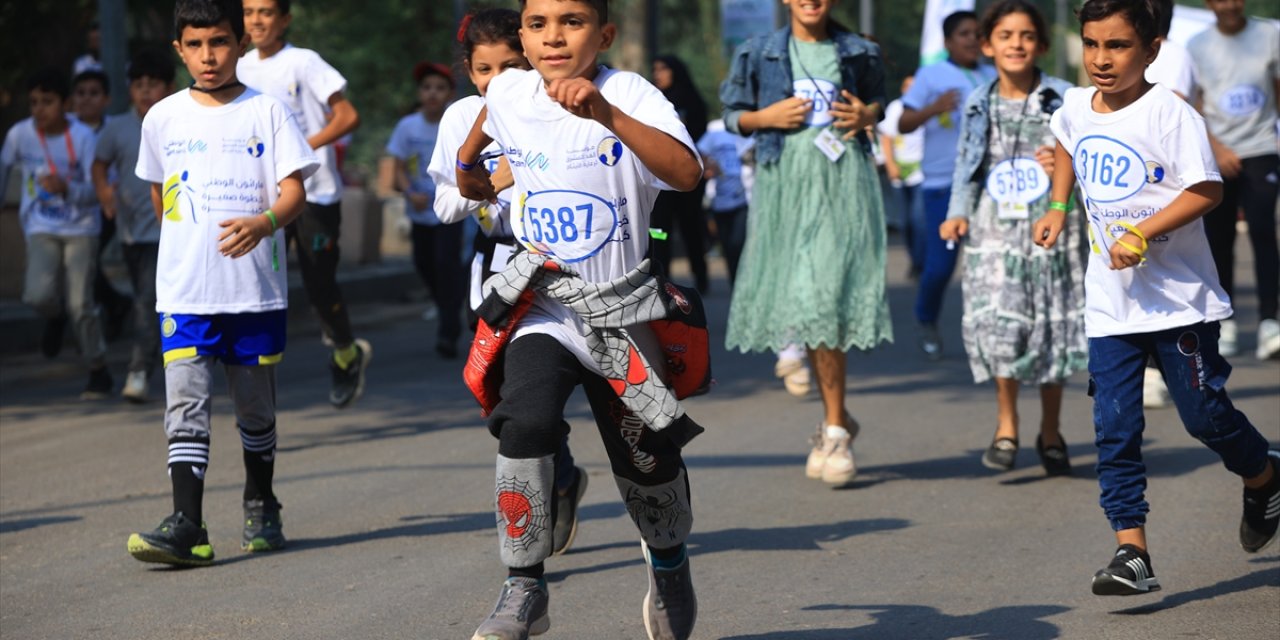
314,93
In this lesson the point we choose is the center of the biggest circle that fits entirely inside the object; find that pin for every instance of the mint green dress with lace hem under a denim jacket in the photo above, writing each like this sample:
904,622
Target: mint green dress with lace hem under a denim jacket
813,268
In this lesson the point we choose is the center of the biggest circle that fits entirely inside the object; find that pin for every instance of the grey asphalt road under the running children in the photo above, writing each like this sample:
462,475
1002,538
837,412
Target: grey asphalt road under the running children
392,533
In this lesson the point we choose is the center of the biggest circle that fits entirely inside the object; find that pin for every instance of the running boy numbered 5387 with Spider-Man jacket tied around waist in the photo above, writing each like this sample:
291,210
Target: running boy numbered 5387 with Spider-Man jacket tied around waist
588,173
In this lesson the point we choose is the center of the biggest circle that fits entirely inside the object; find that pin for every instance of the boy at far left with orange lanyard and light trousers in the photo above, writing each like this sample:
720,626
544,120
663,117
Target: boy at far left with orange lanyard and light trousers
60,221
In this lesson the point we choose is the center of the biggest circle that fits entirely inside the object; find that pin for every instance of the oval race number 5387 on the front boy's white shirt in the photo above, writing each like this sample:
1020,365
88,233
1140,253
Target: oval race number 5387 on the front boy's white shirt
572,226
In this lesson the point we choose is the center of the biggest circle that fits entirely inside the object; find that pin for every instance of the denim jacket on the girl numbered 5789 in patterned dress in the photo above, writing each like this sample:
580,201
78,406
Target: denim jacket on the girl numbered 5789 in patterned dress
972,154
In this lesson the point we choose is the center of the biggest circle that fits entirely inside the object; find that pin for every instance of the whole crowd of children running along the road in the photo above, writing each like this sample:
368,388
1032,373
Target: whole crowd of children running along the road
1095,226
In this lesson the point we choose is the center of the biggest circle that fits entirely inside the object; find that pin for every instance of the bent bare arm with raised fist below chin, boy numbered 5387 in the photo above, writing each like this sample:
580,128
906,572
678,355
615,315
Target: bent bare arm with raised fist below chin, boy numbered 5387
666,157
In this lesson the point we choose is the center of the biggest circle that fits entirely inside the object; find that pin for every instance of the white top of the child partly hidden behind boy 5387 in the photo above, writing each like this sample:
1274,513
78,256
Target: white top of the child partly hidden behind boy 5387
450,205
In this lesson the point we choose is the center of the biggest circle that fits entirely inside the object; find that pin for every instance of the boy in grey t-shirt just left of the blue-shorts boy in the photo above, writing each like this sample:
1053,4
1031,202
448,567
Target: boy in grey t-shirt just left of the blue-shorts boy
129,203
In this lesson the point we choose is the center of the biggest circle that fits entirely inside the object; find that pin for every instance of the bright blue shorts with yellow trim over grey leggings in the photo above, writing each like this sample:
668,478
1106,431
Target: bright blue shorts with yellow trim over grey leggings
246,340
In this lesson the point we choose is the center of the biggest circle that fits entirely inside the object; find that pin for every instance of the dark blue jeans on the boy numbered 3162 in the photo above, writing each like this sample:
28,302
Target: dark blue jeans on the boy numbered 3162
1196,376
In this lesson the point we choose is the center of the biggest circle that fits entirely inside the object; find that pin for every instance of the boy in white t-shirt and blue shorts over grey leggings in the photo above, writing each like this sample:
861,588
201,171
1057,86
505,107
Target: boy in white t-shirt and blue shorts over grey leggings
226,167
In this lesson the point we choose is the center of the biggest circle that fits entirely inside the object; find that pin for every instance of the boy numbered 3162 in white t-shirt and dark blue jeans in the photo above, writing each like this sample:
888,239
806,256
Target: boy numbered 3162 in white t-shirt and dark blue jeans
1148,176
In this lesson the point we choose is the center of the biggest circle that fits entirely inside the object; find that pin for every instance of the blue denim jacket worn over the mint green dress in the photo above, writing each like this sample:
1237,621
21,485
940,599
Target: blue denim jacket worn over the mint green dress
761,76
